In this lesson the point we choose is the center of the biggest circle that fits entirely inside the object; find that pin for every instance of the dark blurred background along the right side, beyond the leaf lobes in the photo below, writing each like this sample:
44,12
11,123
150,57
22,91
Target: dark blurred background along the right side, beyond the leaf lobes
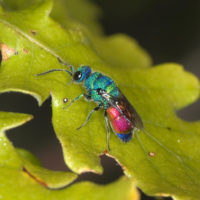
169,30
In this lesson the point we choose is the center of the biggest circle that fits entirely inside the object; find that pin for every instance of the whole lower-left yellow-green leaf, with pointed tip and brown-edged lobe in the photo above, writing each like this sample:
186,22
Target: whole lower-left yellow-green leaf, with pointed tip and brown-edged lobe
23,178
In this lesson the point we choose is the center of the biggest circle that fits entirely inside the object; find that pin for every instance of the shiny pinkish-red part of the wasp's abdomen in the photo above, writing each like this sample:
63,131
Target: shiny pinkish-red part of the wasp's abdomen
119,122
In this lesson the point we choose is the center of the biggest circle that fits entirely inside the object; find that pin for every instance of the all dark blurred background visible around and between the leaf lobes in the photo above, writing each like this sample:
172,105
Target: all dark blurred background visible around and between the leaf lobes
169,30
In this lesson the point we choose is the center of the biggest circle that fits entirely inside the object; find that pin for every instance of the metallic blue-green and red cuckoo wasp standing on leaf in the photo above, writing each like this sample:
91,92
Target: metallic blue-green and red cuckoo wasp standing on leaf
101,89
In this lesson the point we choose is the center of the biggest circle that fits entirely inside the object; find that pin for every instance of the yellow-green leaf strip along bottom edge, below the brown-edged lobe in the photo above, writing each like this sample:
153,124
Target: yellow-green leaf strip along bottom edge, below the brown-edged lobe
23,188
